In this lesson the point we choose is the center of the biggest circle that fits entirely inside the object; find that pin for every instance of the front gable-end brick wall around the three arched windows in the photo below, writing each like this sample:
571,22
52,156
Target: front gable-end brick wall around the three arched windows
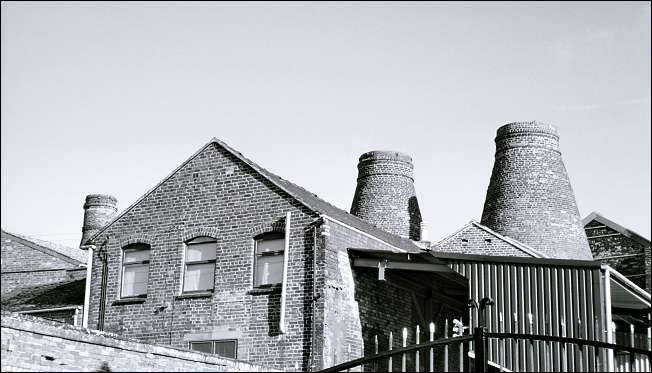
219,195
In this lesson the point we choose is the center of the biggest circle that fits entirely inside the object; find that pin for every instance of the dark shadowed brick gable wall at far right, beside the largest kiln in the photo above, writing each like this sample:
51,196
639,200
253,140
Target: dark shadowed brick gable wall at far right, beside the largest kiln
622,253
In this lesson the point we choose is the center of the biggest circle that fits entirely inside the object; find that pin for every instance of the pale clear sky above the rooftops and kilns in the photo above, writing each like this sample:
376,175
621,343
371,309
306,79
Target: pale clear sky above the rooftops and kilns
110,97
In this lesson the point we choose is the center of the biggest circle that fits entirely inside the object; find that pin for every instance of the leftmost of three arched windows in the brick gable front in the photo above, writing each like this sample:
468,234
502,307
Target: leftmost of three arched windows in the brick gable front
135,271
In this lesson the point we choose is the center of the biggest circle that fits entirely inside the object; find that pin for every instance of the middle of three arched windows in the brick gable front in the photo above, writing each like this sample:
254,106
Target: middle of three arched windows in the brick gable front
199,273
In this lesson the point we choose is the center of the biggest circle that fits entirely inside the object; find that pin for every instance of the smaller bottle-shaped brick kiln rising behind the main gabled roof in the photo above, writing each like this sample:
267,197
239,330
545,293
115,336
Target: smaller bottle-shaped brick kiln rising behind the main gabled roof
385,195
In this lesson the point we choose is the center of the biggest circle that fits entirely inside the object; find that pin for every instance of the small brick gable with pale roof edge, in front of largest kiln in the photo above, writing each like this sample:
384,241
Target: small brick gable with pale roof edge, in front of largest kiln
484,248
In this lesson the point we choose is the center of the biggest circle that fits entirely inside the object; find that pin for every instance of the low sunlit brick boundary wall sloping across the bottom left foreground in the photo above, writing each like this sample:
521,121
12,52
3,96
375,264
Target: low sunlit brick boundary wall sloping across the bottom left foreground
33,344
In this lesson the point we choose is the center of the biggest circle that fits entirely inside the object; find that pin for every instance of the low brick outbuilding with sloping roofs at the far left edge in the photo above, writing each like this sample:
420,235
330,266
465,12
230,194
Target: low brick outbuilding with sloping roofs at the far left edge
42,278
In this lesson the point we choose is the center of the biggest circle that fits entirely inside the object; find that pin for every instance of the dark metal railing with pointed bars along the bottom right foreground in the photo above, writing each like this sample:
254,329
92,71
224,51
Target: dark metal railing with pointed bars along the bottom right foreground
469,352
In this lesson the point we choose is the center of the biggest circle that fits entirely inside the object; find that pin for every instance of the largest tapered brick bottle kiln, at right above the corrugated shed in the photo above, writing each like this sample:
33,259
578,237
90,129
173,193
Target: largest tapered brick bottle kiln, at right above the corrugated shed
530,197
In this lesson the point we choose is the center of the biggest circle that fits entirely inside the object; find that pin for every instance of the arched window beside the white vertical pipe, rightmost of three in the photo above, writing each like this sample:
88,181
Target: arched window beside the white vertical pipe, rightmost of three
268,261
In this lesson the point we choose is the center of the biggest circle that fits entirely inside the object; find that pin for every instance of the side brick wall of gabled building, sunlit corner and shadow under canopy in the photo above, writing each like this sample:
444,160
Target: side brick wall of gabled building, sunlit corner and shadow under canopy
357,306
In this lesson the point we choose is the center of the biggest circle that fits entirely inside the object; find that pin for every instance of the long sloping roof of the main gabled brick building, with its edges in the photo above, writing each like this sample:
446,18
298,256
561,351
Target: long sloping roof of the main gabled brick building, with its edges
301,195
